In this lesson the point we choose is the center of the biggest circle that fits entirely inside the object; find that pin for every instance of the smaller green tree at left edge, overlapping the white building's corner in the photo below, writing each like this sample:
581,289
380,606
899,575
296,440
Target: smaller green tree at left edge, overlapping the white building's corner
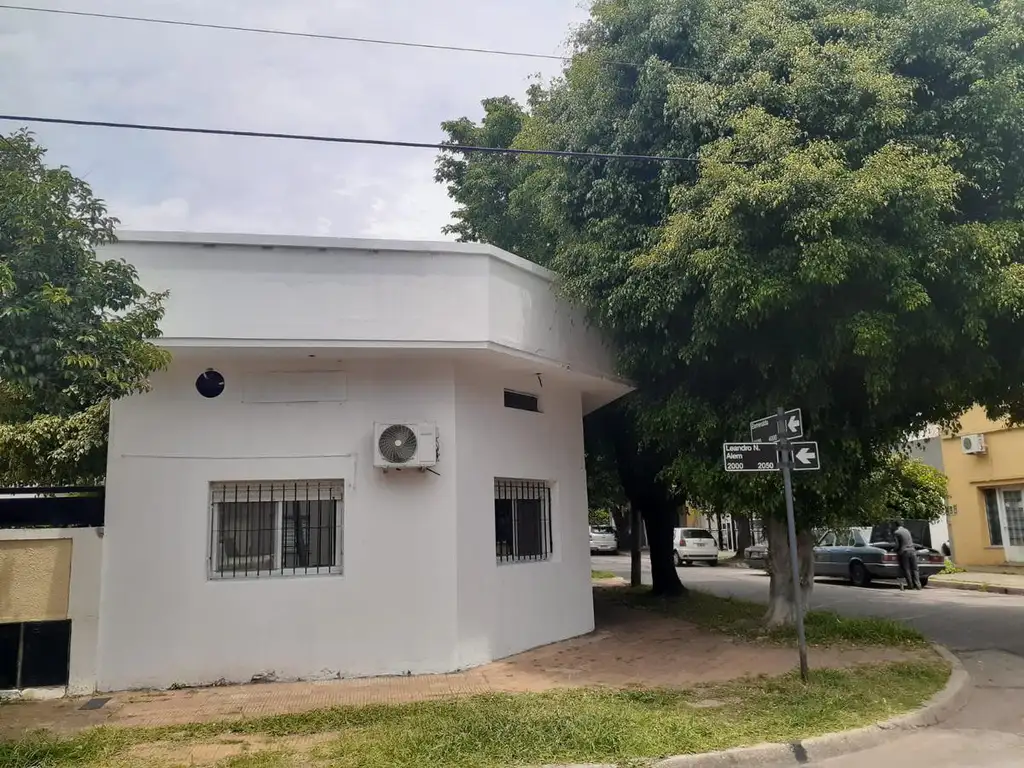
75,330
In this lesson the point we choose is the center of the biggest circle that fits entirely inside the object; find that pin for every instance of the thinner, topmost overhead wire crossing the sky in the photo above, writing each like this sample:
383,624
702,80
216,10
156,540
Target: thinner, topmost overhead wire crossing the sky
314,35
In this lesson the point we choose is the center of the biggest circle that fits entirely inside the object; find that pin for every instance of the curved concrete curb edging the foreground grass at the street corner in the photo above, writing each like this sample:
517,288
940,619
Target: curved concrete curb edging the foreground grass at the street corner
941,707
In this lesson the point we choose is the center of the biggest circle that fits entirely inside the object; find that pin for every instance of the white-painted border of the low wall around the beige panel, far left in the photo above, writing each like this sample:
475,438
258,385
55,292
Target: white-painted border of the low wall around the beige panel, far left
83,598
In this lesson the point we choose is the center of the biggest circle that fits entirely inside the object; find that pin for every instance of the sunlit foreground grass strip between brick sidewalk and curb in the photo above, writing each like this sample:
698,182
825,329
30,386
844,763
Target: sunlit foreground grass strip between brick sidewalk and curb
565,727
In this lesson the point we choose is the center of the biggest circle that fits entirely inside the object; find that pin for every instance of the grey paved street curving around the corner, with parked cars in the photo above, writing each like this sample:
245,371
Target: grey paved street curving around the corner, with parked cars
987,631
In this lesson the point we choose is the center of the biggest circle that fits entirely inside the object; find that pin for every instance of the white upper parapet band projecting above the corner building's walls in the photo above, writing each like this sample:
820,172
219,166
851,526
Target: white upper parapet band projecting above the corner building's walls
265,290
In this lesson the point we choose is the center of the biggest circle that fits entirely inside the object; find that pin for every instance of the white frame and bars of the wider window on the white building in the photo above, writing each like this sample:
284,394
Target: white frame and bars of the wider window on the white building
277,570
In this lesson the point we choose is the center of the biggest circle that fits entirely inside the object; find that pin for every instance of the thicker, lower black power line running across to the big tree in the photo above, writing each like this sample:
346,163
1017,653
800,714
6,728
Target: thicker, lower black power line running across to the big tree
345,140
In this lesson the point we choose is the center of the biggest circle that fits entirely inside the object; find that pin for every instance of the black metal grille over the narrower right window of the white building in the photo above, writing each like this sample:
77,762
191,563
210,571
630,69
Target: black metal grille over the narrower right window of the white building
523,521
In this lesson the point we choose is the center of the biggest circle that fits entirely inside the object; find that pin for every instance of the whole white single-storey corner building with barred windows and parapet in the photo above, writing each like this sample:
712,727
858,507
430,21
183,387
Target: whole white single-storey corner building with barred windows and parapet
366,458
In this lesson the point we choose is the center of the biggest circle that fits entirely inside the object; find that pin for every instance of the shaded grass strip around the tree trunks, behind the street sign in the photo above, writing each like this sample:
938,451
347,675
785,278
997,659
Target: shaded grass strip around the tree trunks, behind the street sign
743,619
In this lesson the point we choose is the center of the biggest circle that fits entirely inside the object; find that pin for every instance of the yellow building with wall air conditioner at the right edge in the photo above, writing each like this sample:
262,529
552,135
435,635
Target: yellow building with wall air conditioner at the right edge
985,462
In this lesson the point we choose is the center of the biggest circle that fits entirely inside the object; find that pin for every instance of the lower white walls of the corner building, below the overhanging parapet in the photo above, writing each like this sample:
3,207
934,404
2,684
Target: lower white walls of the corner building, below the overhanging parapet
421,591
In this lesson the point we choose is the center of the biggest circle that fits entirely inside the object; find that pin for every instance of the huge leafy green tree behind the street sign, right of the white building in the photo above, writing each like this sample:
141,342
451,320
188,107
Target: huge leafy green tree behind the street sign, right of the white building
847,239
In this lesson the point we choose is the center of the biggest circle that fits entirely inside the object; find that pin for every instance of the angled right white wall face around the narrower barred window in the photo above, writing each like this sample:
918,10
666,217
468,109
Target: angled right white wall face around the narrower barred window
507,609
